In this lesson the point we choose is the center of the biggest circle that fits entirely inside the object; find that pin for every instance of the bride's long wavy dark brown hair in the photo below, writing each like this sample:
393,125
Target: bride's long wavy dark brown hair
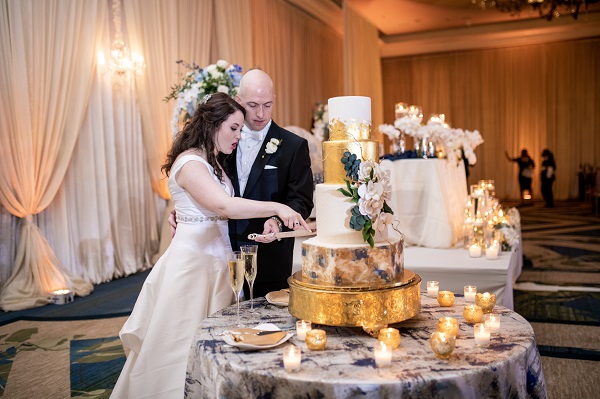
200,132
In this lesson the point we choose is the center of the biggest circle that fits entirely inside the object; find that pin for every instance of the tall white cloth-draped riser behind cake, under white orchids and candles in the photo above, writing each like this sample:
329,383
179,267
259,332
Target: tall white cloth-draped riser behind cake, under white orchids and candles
428,199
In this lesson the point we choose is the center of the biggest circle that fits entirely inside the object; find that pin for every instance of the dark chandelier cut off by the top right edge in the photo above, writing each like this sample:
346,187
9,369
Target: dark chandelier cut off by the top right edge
548,9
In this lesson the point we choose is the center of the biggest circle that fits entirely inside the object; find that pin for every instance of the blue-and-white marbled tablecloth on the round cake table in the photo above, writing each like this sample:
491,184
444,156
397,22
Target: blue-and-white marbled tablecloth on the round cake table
509,367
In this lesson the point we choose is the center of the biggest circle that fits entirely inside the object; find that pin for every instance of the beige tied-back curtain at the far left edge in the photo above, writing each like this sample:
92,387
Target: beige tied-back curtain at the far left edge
48,56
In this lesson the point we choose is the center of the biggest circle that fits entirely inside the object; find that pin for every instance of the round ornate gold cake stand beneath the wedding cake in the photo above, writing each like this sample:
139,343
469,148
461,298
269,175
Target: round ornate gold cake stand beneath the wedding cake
371,307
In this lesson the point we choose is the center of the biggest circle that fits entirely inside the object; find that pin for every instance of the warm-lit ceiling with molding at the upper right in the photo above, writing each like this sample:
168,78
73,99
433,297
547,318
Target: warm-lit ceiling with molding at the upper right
409,27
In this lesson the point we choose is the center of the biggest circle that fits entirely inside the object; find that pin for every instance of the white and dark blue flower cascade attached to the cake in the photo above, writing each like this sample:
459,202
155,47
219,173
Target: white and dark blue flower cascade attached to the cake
369,187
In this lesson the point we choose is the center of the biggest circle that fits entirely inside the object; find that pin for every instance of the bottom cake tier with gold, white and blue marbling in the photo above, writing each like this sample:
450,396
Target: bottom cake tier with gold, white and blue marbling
347,265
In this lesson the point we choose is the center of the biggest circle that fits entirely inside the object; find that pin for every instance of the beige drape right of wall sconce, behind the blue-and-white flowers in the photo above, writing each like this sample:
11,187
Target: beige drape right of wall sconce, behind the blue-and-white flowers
164,32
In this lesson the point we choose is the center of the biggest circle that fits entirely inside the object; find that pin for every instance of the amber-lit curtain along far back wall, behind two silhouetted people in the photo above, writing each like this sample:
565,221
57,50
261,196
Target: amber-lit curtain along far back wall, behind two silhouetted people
533,97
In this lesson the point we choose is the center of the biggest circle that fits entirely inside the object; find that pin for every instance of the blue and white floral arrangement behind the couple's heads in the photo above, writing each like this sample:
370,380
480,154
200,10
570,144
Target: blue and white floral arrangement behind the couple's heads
198,82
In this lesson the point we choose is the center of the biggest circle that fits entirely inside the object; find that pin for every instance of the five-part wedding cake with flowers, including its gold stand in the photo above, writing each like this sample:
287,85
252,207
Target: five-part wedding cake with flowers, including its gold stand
353,270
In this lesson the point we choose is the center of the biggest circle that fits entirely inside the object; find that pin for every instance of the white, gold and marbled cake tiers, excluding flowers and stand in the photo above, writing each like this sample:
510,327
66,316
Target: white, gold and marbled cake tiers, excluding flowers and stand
338,254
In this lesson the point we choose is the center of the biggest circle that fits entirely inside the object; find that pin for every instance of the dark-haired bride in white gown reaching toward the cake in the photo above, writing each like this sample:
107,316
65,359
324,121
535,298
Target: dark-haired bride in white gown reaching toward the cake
190,281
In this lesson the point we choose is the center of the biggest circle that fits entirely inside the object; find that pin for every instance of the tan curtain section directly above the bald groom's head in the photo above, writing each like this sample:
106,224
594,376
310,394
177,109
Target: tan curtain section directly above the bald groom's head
302,56
